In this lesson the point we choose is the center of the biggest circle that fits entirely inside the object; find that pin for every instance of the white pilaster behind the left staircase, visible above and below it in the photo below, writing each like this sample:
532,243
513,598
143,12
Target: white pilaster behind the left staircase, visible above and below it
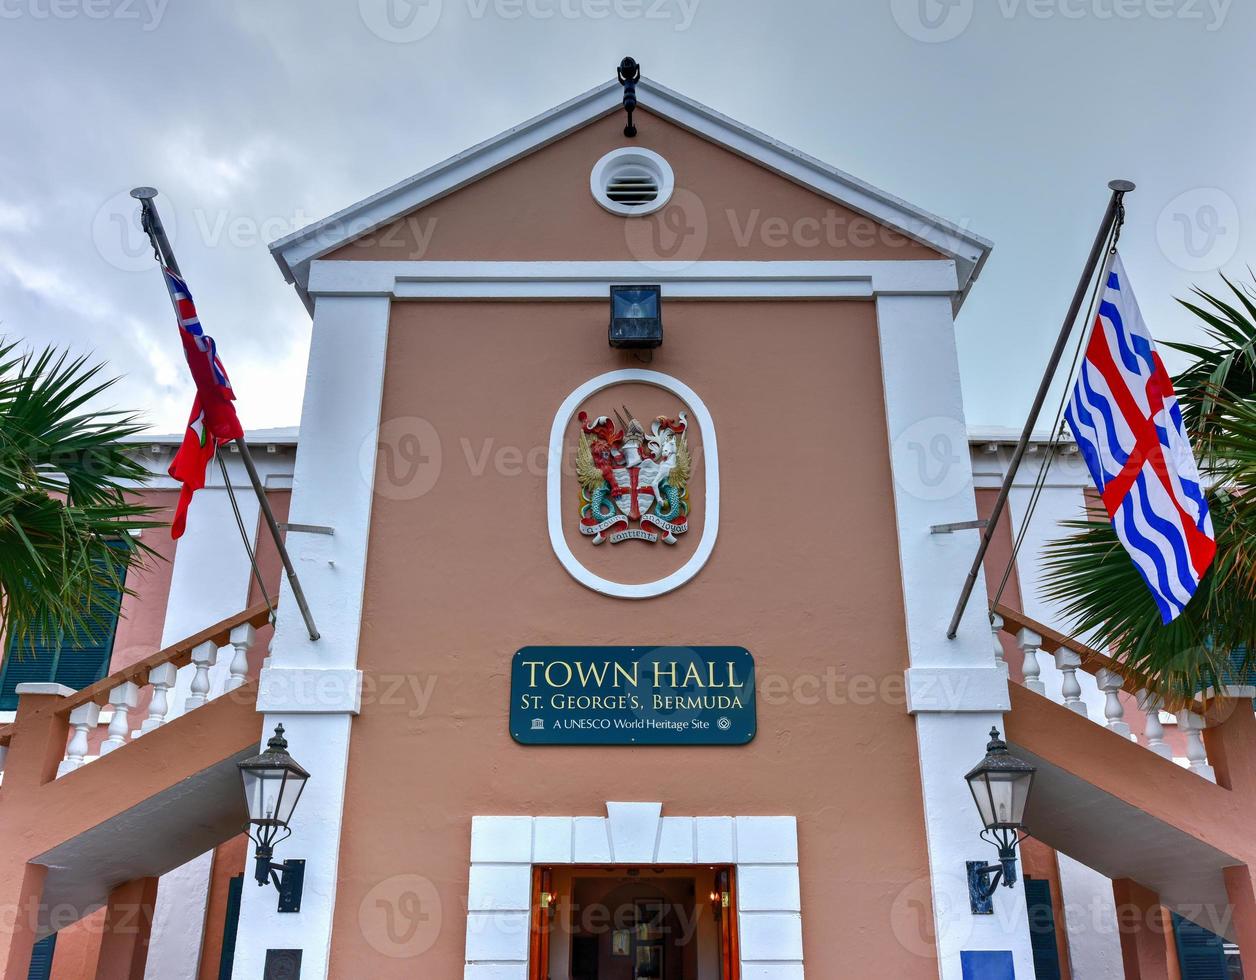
209,582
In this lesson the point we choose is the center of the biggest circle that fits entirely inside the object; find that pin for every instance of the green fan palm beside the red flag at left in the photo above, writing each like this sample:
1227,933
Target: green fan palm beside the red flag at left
65,513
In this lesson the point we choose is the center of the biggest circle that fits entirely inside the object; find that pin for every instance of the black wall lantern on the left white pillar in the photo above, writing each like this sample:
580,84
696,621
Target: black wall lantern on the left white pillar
273,785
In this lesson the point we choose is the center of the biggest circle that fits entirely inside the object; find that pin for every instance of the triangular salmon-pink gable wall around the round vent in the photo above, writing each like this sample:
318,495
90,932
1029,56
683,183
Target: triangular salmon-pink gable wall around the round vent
724,208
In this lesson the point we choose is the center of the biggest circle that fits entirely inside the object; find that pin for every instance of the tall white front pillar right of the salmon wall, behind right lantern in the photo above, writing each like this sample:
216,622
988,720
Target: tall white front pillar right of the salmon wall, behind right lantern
955,690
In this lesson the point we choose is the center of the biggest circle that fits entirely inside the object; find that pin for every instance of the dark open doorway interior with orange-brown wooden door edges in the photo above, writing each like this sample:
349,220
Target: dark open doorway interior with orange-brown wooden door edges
635,923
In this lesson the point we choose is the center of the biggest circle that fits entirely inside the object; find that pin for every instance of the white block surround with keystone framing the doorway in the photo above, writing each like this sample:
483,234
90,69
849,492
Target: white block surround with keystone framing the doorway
504,850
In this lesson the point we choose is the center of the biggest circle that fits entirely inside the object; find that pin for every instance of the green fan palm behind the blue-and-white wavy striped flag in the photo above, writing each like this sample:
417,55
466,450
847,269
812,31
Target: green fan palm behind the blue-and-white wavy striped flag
1100,587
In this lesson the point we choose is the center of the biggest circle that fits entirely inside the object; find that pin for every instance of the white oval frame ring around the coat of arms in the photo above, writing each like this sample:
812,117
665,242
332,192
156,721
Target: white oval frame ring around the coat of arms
555,486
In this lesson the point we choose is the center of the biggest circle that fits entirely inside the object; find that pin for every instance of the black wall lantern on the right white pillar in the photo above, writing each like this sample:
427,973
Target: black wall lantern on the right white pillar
1000,786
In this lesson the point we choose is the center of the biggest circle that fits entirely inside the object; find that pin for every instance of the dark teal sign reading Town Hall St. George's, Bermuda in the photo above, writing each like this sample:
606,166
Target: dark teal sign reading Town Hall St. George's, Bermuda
632,697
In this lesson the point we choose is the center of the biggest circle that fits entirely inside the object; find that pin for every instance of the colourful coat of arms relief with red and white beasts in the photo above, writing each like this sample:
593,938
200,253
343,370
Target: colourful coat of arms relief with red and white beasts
634,486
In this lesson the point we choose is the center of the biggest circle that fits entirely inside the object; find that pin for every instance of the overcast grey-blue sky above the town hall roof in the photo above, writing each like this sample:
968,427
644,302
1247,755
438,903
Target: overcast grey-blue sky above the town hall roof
256,117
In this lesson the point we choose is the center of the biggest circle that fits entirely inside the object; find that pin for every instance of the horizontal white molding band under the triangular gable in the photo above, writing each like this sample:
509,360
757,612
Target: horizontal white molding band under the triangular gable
715,280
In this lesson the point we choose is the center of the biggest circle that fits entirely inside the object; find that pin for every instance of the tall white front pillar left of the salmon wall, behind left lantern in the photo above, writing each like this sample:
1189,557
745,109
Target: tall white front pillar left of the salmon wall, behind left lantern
313,688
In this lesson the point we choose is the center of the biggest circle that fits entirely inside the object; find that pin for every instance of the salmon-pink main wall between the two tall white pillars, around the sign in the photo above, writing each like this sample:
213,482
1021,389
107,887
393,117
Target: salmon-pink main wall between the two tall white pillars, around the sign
806,576
